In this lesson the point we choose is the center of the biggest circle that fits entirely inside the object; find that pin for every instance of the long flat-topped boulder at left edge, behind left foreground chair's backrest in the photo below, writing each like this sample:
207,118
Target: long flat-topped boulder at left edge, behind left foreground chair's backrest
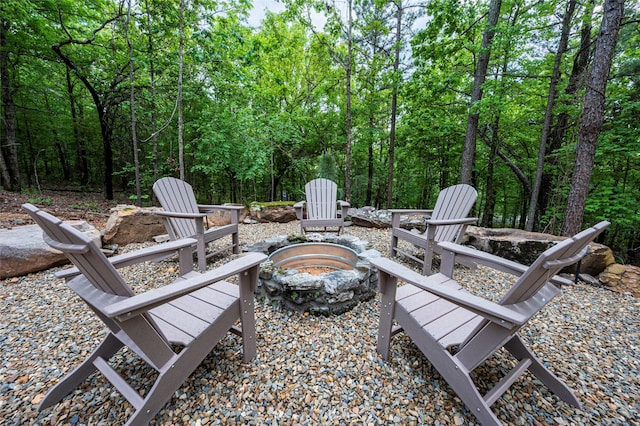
23,251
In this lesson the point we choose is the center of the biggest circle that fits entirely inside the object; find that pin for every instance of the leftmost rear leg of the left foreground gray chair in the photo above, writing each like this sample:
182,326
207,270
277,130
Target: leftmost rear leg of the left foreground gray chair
109,346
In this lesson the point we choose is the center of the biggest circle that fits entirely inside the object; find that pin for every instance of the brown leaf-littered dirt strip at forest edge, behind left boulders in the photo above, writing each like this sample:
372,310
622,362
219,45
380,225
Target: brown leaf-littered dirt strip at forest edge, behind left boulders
66,205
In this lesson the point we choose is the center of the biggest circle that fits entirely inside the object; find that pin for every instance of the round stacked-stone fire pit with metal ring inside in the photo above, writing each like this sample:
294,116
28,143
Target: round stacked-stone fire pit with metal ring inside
316,273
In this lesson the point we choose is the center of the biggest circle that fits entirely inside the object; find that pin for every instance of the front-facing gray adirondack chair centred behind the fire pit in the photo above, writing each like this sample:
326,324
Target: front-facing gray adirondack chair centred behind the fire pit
321,207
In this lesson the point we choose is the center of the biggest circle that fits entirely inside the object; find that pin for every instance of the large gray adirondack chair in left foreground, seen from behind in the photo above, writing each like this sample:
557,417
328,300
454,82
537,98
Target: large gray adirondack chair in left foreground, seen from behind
196,311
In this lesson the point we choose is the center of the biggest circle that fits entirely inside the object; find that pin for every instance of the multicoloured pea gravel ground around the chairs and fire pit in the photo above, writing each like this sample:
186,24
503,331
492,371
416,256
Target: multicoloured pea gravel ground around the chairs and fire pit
317,370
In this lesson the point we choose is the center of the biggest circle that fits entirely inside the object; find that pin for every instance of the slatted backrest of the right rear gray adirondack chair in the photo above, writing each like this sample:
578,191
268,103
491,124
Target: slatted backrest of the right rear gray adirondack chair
453,202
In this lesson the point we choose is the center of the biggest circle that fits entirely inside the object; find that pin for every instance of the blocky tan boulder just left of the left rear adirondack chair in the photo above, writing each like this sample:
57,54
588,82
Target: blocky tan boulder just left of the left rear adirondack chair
131,224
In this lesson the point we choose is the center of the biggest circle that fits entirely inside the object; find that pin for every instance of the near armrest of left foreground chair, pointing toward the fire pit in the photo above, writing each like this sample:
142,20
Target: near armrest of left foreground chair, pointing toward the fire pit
142,303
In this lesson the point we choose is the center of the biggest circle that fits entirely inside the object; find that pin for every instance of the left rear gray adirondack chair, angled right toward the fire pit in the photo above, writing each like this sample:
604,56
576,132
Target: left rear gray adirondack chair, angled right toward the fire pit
185,218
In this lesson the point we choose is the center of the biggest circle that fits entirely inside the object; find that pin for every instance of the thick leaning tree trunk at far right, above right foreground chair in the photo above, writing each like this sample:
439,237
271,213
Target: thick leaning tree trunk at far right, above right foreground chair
592,115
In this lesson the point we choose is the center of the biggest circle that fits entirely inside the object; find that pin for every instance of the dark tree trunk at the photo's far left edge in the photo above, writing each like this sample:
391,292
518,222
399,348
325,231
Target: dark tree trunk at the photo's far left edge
10,170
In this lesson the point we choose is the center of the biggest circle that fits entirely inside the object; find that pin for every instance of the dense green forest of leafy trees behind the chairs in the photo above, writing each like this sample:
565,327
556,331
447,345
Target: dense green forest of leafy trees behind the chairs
535,103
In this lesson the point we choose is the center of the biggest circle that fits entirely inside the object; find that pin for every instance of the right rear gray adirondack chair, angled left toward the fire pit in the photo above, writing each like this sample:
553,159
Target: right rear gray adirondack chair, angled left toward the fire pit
447,222
